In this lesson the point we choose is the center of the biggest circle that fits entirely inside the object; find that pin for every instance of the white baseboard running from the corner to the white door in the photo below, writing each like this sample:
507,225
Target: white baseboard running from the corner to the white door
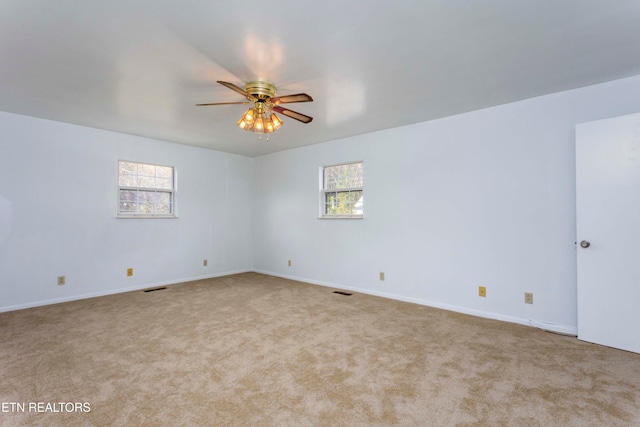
547,326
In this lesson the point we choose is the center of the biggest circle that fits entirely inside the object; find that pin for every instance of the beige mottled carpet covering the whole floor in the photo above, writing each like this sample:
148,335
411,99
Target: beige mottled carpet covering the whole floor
254,350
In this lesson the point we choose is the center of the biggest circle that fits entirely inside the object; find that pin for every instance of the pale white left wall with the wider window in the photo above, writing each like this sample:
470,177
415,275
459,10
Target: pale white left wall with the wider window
57,214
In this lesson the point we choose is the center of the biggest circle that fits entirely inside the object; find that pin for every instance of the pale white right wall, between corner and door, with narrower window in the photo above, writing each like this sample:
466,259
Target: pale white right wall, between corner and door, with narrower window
482,198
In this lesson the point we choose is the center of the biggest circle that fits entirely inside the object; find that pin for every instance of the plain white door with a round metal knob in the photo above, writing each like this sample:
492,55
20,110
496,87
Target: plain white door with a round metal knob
608,231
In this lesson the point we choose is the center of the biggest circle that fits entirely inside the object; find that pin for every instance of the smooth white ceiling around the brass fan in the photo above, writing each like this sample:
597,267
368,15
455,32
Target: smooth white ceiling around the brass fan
139,67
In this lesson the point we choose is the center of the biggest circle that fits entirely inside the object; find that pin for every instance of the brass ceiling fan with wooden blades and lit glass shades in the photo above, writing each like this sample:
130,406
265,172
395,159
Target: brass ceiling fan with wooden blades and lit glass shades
261,118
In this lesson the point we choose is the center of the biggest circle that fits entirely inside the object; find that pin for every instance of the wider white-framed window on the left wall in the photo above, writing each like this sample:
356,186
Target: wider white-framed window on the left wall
145,190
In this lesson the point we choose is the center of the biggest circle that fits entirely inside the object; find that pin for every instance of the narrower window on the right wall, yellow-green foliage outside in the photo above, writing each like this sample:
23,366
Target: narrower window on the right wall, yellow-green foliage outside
342,191
